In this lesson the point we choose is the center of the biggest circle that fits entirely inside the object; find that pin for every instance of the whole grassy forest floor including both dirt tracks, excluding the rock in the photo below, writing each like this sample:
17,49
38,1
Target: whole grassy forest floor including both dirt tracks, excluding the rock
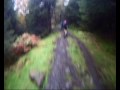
75,62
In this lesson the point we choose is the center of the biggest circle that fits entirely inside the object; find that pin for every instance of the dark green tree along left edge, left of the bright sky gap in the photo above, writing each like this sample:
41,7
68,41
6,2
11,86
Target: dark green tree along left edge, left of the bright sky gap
9,30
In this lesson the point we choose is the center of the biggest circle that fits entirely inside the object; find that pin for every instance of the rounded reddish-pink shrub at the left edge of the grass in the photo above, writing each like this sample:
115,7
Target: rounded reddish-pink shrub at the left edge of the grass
24,43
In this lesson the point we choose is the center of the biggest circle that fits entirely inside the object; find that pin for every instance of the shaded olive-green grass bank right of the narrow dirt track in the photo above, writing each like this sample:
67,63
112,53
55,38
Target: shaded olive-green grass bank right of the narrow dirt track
103,51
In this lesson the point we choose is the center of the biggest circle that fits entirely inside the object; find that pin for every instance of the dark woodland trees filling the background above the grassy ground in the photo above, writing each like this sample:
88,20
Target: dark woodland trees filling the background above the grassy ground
93,15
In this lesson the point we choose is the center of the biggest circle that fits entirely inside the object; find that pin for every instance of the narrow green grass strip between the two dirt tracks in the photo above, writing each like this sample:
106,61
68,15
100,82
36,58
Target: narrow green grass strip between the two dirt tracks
79,62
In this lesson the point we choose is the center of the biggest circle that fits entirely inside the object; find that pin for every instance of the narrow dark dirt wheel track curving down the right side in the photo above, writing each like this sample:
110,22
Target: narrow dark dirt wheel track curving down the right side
90,63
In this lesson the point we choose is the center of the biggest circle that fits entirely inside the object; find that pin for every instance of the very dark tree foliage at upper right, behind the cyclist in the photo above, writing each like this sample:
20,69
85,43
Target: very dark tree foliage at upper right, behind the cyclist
93,14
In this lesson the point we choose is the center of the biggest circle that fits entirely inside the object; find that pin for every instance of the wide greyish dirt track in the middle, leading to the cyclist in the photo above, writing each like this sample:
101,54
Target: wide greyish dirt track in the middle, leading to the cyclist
61,67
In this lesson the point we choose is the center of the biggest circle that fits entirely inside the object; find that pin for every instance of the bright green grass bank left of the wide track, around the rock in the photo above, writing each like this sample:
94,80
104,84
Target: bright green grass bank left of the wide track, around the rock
39,58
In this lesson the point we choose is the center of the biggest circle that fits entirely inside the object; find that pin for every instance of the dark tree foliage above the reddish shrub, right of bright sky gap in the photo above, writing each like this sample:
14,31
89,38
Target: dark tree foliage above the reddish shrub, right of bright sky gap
39,18
